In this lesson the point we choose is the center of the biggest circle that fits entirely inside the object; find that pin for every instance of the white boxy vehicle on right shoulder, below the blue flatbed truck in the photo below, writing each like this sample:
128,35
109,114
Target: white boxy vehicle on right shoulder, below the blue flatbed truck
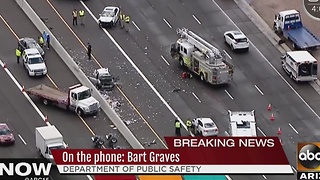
300,65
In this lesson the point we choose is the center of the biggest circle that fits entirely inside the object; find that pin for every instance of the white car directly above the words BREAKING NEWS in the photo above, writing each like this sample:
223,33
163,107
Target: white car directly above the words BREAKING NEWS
205,126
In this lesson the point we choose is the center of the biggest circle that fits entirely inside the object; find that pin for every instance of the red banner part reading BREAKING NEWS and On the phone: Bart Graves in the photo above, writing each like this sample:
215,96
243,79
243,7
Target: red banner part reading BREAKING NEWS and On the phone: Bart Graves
183,151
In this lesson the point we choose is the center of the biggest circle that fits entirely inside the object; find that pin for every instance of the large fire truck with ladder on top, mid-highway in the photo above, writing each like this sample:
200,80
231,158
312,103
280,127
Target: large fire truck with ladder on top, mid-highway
201,58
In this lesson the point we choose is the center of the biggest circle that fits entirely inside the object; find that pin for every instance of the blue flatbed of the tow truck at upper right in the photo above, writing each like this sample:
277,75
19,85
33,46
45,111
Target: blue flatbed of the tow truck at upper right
303,38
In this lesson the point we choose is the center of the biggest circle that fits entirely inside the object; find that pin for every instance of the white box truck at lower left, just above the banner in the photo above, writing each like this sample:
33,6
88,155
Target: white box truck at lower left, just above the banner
48,138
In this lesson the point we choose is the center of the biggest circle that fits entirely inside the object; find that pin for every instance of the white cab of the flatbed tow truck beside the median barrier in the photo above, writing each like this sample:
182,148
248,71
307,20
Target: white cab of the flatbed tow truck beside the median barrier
81,100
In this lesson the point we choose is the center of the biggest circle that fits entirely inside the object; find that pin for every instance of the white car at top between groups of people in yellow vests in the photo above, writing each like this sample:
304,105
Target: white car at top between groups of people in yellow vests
109,17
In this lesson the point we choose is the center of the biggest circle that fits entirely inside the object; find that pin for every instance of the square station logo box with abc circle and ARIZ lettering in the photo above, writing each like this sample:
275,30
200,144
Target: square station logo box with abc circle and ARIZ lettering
308,160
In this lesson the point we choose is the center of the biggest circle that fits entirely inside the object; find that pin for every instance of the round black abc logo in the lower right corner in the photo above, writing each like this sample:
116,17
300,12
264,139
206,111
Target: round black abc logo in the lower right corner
309,156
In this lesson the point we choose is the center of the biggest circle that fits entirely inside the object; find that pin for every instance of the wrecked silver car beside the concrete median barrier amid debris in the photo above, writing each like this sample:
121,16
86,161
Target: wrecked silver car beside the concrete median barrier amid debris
104,80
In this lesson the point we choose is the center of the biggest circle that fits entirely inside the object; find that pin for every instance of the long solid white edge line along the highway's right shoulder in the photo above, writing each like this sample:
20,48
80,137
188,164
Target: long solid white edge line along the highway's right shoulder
270,64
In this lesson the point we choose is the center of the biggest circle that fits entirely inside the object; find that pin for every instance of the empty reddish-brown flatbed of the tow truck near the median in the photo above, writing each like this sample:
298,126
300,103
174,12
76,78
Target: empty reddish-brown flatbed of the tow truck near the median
50,93
